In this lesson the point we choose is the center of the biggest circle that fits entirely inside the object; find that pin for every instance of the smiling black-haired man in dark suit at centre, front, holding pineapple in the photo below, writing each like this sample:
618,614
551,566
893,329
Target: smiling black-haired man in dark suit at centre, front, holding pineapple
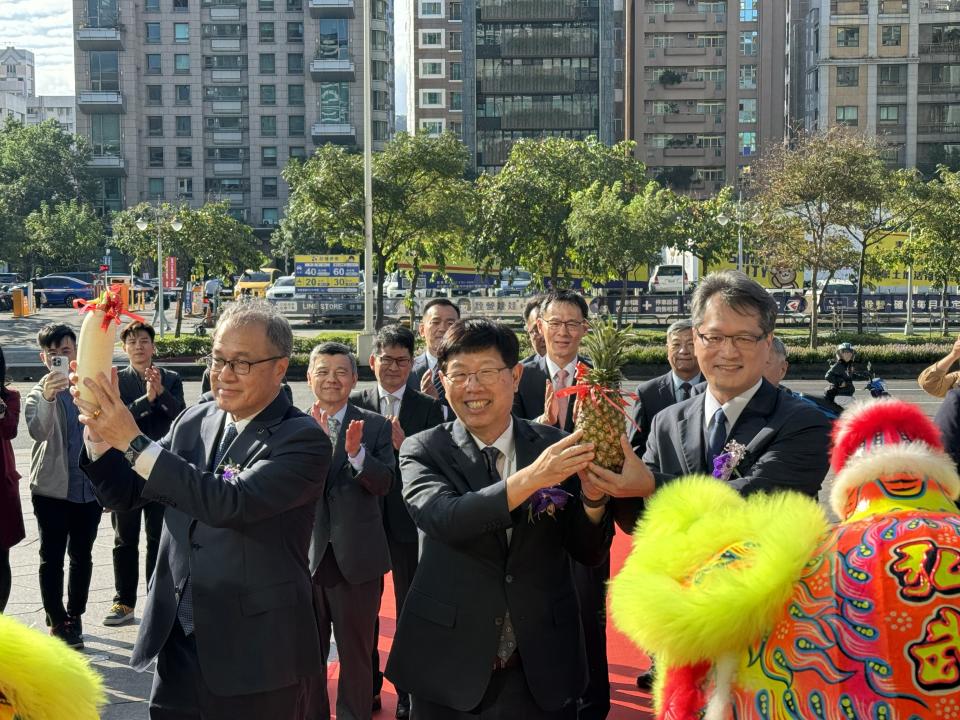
490,627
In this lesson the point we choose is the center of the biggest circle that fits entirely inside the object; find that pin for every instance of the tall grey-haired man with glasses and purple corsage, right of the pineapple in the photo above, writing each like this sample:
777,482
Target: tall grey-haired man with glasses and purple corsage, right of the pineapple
786,439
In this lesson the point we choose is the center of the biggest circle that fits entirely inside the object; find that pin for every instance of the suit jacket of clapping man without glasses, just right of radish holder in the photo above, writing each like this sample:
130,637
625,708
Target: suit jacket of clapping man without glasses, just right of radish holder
349,516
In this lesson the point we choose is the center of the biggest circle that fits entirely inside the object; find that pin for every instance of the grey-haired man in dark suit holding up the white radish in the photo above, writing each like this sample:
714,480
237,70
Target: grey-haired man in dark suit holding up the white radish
231,596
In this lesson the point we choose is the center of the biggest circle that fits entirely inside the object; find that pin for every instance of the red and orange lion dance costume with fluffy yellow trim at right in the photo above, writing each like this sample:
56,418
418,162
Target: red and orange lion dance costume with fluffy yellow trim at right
756,608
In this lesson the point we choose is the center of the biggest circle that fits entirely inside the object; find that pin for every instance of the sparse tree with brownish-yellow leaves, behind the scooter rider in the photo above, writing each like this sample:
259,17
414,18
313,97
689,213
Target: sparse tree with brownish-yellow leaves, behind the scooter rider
809,192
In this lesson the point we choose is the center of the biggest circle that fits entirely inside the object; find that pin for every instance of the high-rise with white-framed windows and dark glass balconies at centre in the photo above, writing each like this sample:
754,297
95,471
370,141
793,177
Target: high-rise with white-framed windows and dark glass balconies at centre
495,71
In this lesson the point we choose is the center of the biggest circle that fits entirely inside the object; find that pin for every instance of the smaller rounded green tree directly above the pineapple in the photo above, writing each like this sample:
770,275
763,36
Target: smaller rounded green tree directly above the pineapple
614,232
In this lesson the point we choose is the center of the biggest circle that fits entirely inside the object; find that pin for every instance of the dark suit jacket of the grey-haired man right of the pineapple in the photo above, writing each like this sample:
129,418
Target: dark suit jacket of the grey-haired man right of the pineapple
787,443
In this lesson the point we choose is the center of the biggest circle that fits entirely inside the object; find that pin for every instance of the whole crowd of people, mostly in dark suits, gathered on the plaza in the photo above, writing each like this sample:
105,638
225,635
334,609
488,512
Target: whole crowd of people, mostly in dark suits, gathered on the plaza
269,527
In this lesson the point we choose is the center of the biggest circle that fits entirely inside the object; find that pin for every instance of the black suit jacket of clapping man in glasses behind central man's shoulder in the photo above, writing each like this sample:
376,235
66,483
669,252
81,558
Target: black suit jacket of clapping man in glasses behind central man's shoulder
418,412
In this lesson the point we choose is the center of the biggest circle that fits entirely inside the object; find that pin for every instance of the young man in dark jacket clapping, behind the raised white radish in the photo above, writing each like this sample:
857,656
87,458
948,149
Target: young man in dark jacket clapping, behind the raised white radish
155,397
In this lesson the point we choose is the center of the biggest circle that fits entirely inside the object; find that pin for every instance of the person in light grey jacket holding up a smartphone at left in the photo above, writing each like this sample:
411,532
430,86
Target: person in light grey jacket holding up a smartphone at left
64,504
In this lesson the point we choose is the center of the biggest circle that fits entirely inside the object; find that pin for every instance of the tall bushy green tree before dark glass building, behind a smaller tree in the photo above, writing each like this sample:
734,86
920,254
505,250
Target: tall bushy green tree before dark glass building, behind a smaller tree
524,208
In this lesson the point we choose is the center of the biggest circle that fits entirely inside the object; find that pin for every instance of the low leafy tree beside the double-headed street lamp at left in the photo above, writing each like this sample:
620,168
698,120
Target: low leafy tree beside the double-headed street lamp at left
210,242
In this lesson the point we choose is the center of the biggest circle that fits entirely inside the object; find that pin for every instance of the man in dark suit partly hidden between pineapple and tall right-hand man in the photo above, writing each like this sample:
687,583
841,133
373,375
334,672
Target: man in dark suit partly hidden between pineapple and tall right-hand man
675,386
